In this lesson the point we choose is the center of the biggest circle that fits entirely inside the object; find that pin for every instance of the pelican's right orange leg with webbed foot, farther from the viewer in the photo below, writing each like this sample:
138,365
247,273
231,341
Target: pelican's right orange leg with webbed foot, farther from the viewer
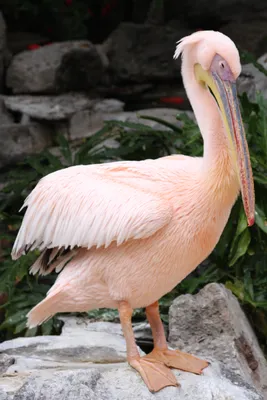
171,358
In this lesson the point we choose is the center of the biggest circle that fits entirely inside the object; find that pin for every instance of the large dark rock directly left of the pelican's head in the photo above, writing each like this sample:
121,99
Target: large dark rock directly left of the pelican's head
143,53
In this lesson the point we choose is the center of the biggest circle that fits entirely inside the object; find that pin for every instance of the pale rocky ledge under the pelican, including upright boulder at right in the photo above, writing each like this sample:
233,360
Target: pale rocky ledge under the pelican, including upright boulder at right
88,360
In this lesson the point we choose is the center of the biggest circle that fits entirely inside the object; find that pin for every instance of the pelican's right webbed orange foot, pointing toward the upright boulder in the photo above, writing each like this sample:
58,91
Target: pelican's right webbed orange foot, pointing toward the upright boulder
179,360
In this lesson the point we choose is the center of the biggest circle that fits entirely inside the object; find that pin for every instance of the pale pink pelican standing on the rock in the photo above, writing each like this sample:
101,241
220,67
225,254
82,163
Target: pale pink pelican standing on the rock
123,234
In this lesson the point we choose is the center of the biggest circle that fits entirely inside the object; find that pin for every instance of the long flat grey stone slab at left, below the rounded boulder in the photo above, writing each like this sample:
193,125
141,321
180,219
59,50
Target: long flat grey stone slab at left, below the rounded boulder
50,108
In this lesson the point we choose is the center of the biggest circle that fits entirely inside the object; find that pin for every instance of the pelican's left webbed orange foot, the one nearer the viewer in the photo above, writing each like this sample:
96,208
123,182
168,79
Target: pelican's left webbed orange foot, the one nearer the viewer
154,373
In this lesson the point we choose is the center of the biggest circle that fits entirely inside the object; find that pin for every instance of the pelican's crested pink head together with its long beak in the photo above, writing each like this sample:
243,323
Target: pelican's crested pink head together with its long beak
217,67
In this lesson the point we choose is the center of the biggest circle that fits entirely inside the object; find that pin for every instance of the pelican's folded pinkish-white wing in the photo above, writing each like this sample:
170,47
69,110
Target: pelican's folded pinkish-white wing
83,206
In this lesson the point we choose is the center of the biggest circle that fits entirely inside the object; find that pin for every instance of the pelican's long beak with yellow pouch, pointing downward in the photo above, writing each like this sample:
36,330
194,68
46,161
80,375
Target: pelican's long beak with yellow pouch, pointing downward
226,95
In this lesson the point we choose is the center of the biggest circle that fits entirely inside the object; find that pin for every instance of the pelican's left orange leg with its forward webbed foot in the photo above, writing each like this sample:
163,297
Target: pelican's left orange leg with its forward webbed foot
154,373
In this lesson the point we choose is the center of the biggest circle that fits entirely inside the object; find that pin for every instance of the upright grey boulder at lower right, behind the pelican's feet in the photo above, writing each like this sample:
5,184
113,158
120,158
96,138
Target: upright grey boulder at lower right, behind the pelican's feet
212,322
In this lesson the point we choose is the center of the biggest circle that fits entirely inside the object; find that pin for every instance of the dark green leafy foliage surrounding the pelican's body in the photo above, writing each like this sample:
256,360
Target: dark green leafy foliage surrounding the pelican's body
239,260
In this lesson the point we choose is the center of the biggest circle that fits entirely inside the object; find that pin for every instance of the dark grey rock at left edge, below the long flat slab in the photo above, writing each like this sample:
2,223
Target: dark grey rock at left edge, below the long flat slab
18,141
